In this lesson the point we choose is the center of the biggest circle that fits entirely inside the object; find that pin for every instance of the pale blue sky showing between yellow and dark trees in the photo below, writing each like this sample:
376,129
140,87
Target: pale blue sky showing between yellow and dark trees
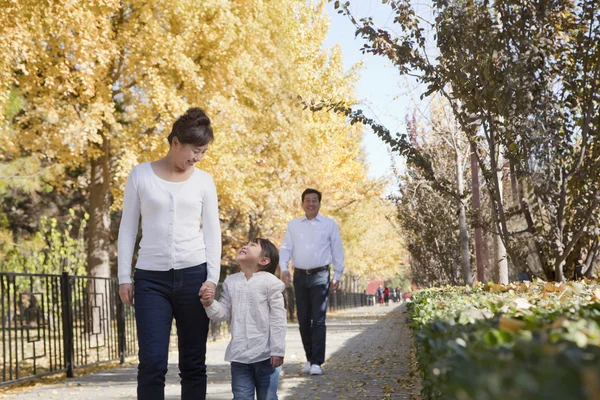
384,95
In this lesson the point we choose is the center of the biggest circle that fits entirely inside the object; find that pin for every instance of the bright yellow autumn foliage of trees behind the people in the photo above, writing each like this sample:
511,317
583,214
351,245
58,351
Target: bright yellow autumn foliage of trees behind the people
117,74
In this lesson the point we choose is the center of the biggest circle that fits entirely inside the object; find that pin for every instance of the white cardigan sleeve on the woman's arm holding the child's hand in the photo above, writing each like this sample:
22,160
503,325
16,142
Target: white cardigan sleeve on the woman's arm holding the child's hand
211,228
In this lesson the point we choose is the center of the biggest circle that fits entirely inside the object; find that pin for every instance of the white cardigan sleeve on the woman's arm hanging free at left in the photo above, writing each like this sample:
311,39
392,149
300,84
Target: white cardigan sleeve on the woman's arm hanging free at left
130,220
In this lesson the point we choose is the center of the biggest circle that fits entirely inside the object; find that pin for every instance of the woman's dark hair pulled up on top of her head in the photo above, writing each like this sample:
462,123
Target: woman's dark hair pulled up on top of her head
193,127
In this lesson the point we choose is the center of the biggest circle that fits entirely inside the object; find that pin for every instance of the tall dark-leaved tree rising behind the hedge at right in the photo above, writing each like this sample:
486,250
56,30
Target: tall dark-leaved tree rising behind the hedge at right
526,74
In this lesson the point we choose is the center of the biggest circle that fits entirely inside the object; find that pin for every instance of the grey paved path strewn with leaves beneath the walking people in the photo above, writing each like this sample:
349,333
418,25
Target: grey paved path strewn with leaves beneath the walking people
367,358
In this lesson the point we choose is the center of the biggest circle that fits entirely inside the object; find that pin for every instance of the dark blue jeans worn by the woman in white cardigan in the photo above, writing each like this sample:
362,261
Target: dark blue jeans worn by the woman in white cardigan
160,296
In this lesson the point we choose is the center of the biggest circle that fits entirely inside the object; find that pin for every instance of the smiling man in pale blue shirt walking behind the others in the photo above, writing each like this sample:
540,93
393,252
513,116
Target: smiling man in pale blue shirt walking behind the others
313,242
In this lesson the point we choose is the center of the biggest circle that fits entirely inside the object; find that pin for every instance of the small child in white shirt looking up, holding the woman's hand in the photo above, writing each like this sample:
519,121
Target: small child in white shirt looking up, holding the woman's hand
253,300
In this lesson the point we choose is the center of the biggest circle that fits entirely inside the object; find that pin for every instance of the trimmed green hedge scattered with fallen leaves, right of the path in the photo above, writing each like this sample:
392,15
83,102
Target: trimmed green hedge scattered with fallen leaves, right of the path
525,341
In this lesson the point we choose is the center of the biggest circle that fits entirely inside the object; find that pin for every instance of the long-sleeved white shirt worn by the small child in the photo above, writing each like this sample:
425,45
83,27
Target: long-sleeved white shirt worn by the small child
258,317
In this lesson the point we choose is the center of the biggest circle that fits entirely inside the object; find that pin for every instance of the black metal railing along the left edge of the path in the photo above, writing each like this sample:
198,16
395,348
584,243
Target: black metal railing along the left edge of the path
58,323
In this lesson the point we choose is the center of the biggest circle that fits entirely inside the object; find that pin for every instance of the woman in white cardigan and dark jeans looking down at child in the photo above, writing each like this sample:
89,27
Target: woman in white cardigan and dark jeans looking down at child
179,256
